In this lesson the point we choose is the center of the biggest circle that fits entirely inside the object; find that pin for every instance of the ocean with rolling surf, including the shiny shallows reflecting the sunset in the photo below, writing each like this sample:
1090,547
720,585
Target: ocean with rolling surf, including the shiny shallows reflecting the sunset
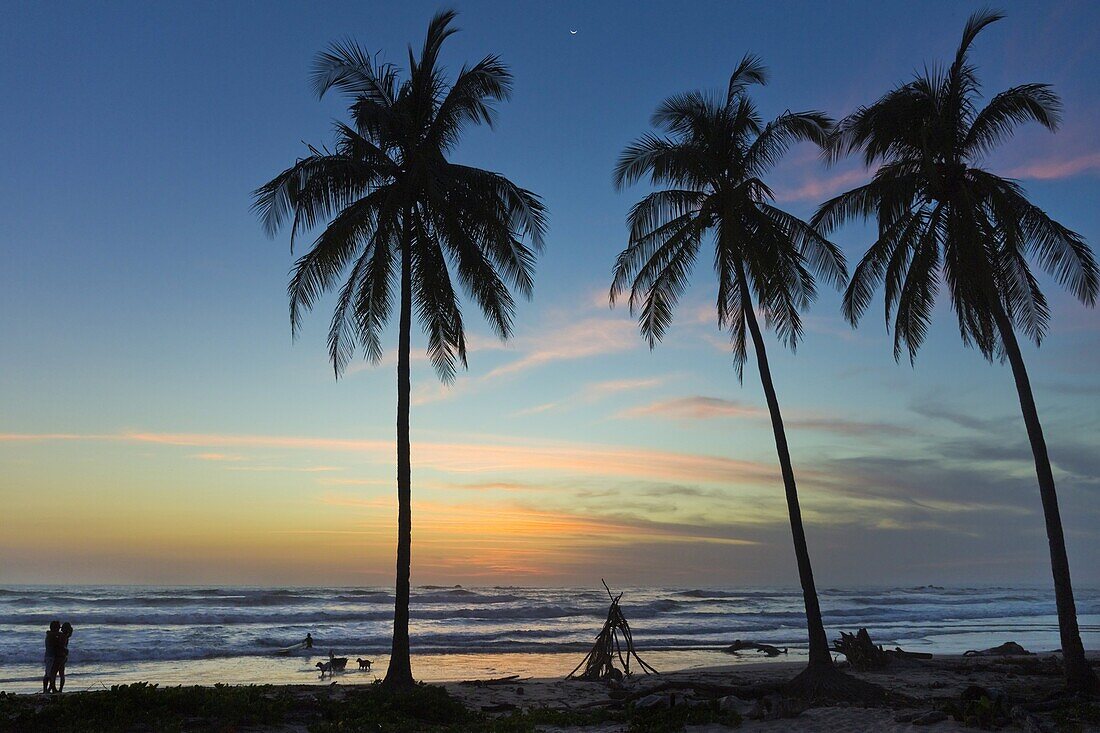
177,636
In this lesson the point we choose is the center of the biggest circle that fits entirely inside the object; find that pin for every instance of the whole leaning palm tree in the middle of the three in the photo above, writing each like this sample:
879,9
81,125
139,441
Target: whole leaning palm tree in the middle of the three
708,168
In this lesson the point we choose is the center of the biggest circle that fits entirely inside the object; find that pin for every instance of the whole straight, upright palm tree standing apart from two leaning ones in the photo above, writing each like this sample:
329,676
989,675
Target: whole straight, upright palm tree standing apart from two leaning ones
393,201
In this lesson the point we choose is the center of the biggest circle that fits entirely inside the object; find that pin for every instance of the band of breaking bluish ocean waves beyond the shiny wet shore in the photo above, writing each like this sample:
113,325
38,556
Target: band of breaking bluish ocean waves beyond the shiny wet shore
128,625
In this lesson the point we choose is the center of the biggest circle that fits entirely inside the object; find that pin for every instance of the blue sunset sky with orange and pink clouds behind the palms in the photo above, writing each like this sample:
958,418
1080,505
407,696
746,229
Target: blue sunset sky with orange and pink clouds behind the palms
160,425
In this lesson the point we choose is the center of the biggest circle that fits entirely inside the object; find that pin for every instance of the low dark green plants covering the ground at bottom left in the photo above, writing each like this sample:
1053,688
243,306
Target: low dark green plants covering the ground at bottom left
145,707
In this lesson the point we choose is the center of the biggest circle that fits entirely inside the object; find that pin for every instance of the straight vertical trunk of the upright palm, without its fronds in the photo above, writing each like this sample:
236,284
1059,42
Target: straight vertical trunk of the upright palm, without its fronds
400,673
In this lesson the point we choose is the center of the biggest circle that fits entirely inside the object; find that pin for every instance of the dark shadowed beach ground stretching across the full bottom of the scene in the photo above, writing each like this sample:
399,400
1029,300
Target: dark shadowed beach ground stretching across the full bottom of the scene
1022,694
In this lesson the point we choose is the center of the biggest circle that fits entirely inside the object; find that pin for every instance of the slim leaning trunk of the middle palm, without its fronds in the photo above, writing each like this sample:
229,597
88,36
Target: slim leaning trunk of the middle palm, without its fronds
819,644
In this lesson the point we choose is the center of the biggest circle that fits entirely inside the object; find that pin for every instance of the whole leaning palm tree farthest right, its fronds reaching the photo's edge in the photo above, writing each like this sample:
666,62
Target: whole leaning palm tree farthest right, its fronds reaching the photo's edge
941,216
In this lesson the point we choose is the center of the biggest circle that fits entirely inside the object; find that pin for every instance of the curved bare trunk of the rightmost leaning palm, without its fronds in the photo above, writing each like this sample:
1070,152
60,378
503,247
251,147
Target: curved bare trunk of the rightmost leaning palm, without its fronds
1080,675
